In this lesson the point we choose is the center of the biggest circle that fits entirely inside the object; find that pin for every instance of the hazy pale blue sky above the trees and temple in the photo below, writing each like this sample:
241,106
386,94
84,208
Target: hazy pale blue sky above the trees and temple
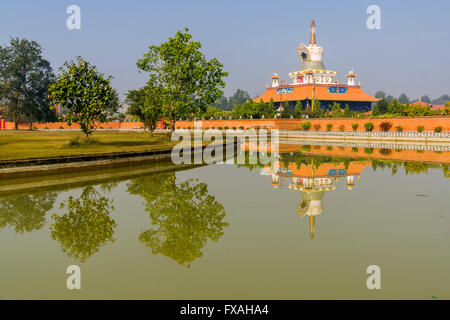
251,38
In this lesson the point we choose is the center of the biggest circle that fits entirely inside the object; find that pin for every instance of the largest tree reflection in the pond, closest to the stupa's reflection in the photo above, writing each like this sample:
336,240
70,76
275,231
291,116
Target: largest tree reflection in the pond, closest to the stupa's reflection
183,216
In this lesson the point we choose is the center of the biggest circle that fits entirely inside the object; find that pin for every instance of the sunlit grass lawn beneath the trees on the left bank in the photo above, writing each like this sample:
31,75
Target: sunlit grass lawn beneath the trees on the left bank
46,144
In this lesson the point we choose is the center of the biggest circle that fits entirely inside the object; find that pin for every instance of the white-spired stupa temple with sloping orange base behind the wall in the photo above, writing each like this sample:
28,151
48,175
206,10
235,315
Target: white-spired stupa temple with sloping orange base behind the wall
313,81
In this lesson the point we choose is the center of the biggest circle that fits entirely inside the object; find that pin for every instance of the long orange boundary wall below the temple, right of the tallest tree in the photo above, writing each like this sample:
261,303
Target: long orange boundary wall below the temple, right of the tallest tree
407,123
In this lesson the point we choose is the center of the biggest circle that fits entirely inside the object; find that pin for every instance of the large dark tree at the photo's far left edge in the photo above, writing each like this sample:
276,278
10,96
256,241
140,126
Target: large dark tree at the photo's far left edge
24,79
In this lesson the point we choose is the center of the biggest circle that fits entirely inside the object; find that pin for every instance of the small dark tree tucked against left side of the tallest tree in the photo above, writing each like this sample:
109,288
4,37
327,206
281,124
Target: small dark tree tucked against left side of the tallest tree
146,104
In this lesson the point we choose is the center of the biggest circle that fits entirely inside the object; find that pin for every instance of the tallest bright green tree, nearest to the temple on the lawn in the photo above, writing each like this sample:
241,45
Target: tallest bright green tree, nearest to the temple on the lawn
188,82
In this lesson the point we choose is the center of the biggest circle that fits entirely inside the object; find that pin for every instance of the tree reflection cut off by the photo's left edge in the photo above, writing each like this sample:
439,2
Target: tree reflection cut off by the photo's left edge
26,213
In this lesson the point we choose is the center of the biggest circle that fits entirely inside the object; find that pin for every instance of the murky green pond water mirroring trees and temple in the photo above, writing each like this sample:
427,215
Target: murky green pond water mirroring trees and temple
225,231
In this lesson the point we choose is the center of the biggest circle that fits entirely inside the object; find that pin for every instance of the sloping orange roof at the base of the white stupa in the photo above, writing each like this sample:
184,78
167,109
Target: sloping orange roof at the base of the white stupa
304,91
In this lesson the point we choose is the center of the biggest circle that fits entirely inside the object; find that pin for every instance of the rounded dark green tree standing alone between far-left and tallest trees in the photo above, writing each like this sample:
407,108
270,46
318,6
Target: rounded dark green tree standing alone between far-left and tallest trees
85,92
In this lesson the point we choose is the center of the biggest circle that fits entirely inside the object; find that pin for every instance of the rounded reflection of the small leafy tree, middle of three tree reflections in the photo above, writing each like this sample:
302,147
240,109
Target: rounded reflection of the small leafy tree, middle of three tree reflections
86,226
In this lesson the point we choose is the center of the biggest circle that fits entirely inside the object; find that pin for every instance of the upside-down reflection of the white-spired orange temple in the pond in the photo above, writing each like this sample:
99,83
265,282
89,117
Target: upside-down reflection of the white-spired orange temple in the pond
312,181
